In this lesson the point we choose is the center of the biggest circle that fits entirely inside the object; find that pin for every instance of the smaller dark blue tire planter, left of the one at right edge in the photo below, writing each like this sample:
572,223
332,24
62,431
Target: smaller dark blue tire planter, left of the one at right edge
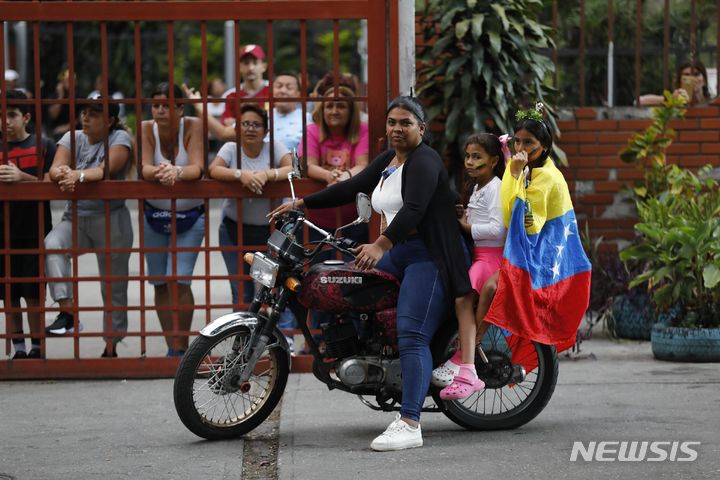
632,317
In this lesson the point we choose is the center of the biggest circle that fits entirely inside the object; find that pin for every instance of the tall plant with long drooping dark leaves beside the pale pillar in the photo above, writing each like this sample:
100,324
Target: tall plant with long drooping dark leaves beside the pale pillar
482,60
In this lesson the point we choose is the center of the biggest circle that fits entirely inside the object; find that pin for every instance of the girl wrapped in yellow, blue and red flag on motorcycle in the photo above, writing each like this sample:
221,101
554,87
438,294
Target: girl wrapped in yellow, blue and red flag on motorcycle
549,246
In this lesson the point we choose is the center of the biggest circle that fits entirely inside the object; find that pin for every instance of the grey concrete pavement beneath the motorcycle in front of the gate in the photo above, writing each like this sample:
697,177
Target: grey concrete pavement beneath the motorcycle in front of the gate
129,429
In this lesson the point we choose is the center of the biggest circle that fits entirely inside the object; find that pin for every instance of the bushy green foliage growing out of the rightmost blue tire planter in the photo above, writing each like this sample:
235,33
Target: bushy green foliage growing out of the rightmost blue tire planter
679,244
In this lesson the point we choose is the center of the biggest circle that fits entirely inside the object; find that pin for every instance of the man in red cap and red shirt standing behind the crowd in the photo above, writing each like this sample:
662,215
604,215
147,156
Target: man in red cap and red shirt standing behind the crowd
252,66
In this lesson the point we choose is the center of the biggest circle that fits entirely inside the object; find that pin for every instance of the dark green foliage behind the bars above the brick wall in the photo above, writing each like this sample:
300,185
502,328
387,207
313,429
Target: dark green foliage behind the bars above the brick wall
567,40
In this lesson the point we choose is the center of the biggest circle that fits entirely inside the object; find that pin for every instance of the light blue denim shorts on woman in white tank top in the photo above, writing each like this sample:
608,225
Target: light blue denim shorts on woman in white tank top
160,263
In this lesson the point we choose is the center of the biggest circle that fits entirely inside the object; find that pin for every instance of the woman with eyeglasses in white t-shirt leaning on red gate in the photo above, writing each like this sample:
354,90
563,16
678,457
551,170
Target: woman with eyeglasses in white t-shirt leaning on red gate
253,170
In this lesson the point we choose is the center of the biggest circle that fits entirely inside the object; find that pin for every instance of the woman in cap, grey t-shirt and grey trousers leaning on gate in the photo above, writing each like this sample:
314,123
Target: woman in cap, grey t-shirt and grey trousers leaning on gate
88,165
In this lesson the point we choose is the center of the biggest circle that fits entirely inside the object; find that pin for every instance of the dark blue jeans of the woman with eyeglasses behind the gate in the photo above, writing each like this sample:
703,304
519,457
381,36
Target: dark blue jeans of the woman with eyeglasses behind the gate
251,235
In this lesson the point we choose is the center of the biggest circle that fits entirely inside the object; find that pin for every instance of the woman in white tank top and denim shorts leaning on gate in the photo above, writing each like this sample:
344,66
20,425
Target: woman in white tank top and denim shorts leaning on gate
170,135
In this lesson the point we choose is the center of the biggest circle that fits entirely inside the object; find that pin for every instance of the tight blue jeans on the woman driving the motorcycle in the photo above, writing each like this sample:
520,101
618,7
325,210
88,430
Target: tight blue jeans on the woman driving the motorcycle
422,307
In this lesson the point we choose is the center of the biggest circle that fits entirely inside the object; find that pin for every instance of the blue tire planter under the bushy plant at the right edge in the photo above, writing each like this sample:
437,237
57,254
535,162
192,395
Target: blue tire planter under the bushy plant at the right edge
680,344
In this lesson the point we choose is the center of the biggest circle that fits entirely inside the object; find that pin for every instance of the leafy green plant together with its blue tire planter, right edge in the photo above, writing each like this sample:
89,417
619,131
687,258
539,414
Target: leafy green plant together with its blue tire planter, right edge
678,243
